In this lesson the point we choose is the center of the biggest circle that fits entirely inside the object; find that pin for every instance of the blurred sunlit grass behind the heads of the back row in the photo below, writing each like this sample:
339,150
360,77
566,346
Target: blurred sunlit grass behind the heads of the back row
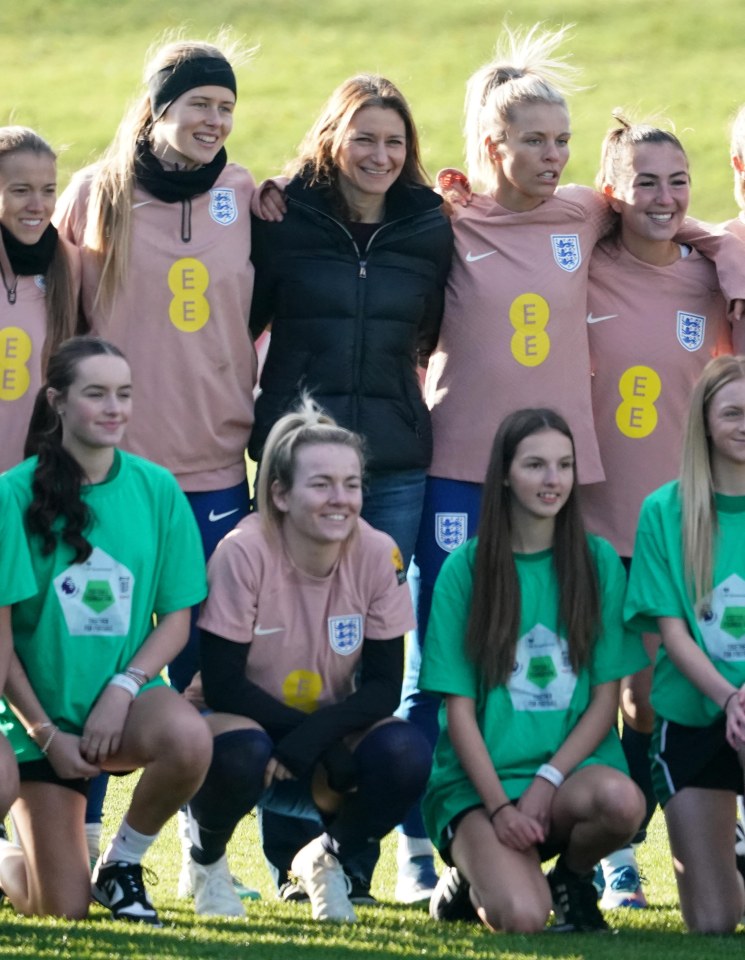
69,66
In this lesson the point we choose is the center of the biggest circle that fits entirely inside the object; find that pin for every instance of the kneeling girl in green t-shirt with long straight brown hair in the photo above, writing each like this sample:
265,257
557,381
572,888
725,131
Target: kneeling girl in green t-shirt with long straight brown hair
526,644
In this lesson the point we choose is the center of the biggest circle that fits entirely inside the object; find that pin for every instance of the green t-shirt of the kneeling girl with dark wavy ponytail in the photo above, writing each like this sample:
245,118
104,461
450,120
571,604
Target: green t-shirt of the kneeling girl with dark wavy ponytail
89,619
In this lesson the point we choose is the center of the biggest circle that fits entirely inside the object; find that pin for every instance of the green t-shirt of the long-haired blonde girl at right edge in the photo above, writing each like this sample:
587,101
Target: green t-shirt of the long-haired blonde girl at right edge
658,588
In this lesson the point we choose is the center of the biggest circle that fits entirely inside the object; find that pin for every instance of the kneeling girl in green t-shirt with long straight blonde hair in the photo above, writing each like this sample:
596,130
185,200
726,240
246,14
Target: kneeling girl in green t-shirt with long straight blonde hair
688,580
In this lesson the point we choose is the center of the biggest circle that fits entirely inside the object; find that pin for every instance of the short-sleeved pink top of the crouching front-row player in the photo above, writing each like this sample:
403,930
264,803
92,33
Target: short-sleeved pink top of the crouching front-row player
306,633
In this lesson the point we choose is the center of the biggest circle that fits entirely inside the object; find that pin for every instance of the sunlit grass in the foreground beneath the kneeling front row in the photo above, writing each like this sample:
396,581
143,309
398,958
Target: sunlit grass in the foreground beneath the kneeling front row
277,931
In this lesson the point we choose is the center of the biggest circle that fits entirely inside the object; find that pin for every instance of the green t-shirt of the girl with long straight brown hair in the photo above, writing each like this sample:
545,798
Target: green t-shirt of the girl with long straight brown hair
525,721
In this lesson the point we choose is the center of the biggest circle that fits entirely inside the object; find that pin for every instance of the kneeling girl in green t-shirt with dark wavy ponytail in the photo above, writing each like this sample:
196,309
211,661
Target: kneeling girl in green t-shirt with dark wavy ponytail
112,541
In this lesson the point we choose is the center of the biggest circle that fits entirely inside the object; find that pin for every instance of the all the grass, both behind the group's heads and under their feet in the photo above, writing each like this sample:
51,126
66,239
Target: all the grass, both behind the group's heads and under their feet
68,68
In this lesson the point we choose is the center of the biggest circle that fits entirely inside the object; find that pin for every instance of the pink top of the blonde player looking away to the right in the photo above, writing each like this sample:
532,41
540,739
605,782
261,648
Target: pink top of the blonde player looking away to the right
513,333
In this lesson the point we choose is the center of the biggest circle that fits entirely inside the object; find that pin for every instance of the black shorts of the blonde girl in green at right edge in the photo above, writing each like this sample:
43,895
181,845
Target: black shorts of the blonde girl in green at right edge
692,757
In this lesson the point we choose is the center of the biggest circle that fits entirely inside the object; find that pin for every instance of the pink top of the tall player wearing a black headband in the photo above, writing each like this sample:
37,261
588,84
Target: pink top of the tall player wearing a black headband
182,322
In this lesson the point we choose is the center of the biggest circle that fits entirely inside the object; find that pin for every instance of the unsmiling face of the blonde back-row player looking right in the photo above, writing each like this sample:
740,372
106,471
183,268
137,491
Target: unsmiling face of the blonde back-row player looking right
530,159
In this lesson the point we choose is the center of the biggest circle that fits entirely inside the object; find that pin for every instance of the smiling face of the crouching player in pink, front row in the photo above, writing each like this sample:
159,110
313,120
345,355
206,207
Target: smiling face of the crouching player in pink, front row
323,504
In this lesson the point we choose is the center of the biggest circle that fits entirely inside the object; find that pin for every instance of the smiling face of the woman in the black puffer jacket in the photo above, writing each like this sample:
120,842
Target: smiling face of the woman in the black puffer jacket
370,158
